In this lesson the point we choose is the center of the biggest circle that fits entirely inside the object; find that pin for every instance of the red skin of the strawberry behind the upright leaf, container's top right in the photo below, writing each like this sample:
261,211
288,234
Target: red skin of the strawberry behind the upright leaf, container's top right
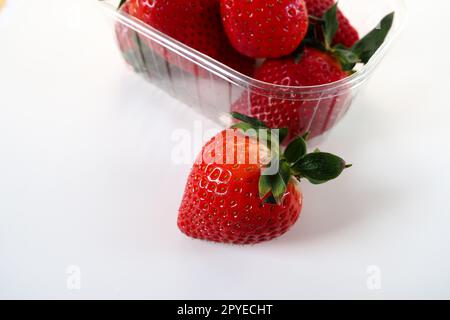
346,34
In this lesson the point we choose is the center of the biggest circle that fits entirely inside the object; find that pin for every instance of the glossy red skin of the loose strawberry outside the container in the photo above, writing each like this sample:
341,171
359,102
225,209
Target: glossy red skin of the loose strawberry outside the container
221,201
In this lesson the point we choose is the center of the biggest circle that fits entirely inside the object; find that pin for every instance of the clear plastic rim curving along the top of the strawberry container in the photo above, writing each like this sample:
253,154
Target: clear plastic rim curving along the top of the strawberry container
229,74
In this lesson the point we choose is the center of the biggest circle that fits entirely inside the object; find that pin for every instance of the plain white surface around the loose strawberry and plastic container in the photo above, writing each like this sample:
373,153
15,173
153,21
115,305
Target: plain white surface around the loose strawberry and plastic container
86,176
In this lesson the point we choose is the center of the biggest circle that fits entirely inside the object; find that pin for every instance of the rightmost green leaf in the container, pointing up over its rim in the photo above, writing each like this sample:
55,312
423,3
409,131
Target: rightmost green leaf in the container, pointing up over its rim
367,46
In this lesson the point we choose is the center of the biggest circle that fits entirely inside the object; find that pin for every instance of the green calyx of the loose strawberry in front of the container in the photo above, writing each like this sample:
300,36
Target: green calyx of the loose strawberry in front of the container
293,161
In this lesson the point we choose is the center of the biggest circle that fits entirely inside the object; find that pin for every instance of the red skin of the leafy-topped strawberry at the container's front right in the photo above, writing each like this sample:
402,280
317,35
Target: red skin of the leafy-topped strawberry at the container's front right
314,114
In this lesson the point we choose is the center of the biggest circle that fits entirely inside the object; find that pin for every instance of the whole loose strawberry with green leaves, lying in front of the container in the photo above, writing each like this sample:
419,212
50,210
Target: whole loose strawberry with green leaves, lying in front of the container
228,199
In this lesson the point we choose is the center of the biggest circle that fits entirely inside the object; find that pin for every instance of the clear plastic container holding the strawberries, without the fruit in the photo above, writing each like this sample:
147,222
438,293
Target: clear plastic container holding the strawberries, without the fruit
214,89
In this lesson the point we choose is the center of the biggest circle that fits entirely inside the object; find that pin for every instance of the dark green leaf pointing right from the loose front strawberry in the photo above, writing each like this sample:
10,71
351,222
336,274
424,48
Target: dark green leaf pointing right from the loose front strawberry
320,167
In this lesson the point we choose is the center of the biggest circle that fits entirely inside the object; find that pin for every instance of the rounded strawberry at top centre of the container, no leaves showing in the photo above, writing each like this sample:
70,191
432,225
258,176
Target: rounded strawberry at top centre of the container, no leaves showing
265,28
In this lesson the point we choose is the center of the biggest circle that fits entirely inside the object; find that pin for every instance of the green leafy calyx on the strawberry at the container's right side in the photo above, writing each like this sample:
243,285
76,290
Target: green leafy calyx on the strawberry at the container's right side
361,52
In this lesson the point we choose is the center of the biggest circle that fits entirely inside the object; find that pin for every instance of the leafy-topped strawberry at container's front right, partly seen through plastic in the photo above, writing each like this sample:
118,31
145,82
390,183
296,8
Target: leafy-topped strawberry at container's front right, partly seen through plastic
317,62
